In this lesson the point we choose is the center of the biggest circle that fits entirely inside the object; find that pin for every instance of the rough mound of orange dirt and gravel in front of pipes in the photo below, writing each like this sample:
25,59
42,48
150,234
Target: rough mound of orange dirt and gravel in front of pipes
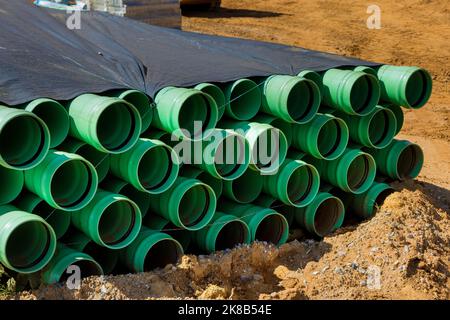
401,253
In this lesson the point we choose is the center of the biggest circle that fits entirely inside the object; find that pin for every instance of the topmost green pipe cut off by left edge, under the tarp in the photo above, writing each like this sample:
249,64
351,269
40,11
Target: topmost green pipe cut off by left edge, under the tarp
24,139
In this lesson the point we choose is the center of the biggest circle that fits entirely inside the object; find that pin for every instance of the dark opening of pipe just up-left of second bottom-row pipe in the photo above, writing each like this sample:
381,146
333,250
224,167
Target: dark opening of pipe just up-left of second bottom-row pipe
117,222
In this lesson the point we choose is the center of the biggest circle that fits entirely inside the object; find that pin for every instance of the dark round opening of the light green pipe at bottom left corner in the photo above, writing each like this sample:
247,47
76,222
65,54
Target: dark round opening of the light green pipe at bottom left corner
28,244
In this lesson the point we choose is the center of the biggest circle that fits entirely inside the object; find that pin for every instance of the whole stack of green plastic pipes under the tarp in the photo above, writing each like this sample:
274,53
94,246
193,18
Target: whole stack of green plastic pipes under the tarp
95,182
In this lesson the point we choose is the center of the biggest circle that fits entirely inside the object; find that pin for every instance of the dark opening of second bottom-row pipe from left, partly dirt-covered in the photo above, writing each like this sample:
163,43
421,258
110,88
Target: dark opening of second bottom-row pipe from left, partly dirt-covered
162,253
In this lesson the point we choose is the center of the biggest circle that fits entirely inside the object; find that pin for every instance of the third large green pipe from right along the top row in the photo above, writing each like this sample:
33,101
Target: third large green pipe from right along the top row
293,99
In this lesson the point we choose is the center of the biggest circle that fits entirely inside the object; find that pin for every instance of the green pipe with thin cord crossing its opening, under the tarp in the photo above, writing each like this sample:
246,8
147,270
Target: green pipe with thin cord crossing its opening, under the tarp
243,99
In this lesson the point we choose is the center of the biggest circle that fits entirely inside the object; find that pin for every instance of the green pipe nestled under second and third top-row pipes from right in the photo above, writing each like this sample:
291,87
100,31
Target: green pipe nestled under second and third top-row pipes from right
324,137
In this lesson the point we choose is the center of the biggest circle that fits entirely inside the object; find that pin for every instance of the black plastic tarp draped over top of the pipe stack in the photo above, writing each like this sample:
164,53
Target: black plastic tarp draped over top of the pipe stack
41,57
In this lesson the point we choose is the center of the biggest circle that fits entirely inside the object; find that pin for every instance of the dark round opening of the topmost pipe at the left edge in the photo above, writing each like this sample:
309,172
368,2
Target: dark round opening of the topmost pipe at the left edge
23,141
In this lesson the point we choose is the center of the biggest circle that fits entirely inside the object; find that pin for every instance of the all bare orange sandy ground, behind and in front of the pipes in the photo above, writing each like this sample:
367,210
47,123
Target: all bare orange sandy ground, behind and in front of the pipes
407,242
